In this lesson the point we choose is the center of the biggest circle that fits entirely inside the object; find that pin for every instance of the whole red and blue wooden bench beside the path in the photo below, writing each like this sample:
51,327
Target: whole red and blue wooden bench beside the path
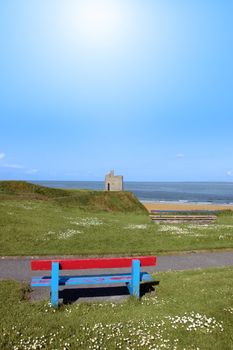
132,279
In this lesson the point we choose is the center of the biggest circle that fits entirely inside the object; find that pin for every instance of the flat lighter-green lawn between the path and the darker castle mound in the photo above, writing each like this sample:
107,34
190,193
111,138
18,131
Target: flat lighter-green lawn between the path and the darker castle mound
39,227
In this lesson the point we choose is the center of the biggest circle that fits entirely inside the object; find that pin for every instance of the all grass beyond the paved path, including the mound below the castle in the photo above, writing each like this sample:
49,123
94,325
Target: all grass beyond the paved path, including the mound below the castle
61,222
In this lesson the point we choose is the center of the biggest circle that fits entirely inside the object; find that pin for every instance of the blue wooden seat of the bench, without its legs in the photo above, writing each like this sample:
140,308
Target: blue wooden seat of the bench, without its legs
45,281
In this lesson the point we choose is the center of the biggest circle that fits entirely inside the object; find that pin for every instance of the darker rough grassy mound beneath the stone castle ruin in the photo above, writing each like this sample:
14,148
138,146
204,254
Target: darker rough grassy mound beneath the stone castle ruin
83,199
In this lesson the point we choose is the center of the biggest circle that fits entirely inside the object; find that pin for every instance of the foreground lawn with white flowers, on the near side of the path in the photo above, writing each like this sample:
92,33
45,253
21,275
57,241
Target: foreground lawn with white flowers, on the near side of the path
188,310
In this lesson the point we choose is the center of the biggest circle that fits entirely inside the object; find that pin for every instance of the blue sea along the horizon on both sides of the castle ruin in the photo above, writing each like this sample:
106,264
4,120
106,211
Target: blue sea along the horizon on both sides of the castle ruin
164,192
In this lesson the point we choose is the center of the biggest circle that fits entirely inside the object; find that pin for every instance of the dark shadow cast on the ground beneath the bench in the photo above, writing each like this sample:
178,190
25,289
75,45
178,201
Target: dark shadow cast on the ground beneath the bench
71,295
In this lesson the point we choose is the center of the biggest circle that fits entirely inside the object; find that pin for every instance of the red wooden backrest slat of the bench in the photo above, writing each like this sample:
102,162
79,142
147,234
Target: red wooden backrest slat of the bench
79,264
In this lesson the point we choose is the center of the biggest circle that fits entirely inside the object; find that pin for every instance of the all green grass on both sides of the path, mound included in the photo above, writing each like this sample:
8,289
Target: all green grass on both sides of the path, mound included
187,310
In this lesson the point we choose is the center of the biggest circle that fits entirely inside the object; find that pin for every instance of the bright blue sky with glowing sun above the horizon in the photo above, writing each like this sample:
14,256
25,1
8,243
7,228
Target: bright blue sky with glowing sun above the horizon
144,87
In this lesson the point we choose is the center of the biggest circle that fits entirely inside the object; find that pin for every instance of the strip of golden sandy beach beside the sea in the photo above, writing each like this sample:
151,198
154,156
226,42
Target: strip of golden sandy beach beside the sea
185,206
